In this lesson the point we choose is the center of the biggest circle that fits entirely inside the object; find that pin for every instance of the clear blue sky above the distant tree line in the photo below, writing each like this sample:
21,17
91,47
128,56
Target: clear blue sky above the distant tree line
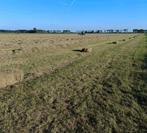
73,14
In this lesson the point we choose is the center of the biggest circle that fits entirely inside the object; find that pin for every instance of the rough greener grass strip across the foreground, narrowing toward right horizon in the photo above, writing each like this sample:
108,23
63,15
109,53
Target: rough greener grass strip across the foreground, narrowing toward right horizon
103,91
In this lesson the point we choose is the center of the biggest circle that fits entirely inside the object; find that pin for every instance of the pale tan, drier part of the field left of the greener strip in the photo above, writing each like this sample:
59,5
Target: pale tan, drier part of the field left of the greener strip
32,55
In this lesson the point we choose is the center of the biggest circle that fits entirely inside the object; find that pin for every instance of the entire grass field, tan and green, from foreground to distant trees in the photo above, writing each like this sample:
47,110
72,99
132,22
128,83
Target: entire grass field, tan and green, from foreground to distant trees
48,86
